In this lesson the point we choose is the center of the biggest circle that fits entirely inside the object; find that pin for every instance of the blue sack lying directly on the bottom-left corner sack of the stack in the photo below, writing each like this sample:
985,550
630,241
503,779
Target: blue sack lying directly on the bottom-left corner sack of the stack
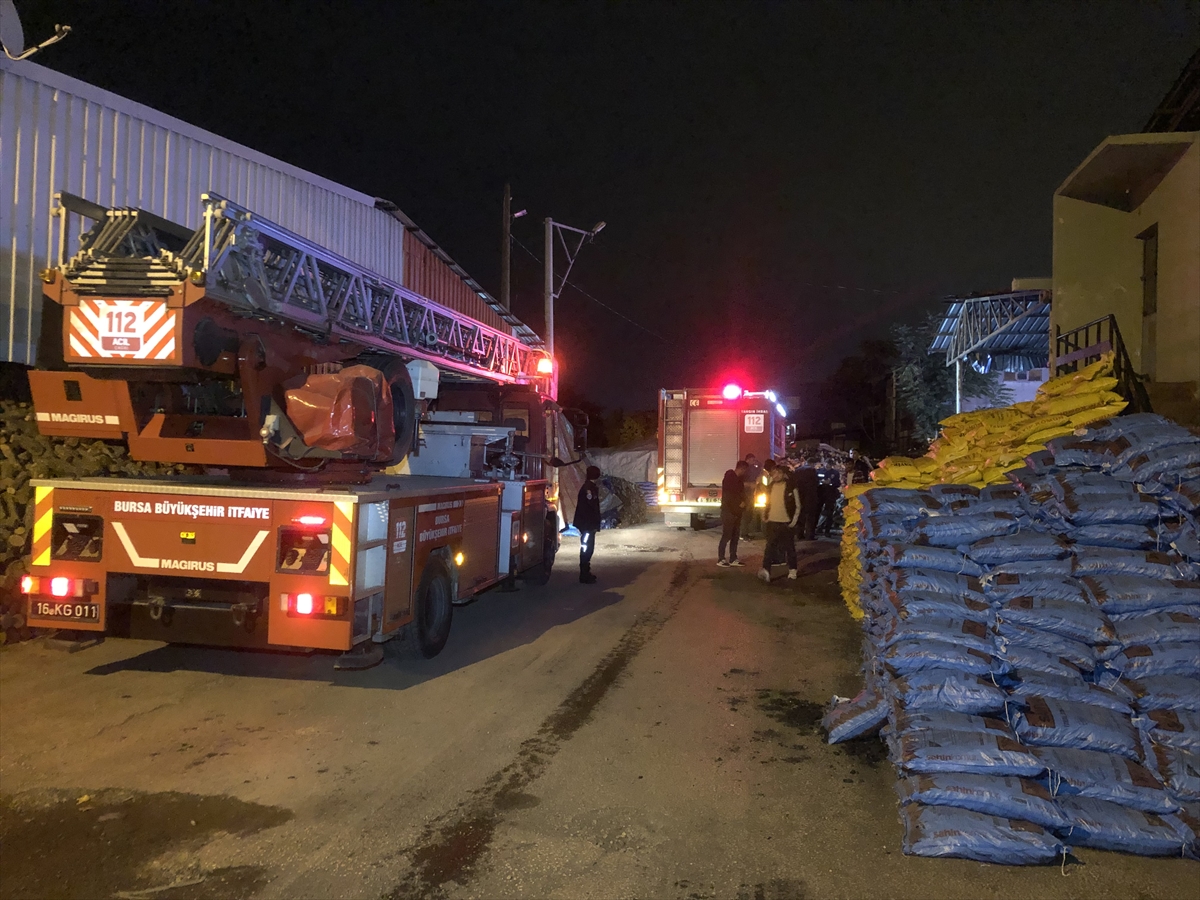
1004,796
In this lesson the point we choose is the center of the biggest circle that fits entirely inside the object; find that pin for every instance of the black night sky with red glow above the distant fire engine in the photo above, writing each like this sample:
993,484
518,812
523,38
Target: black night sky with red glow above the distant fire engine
779,181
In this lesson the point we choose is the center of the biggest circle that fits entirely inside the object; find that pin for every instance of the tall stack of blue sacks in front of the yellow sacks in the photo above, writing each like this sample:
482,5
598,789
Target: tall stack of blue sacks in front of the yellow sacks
1033,651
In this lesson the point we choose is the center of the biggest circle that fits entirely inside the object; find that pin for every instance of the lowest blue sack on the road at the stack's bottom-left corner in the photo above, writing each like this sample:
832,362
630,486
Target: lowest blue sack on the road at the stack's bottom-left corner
952,832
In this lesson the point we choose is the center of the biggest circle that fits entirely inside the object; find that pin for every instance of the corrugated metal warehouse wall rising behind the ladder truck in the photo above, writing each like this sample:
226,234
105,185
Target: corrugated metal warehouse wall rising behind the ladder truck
62,135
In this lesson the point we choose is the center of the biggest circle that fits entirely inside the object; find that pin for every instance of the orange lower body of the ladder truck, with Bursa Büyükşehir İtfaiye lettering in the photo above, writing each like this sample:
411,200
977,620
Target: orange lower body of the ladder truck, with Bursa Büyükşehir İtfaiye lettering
199,545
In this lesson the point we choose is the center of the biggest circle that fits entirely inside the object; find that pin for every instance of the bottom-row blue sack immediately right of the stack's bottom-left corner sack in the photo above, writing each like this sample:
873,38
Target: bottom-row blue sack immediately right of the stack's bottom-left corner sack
1106,777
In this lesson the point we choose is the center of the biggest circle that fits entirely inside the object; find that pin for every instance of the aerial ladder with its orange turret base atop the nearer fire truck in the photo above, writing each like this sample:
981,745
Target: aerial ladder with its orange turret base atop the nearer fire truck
187,344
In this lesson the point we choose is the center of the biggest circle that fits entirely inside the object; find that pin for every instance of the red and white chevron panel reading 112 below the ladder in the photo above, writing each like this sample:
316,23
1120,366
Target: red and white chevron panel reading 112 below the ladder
123,329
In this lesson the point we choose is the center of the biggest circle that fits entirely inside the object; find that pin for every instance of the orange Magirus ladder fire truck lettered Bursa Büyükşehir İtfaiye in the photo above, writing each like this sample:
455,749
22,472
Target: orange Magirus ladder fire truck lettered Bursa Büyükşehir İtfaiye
370,458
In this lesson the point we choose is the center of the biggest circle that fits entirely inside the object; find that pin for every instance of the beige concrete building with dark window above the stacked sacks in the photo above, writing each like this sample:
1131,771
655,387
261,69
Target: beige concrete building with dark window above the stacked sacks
1127,245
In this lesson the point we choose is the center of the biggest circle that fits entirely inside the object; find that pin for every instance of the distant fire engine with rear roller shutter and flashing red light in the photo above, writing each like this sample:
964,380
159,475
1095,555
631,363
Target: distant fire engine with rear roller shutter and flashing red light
703,433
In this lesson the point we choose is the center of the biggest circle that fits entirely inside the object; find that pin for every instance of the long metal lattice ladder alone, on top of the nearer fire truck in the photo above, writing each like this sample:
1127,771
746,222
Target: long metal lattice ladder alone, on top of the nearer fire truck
261,269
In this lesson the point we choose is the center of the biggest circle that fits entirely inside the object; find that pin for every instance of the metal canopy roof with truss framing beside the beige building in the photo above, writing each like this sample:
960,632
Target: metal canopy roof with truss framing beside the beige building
1005,332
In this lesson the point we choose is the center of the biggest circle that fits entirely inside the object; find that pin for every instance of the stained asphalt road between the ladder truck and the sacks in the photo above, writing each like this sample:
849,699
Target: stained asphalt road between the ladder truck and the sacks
653,736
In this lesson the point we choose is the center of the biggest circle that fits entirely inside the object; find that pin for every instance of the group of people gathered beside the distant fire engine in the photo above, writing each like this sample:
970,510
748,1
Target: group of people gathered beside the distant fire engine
799,502
